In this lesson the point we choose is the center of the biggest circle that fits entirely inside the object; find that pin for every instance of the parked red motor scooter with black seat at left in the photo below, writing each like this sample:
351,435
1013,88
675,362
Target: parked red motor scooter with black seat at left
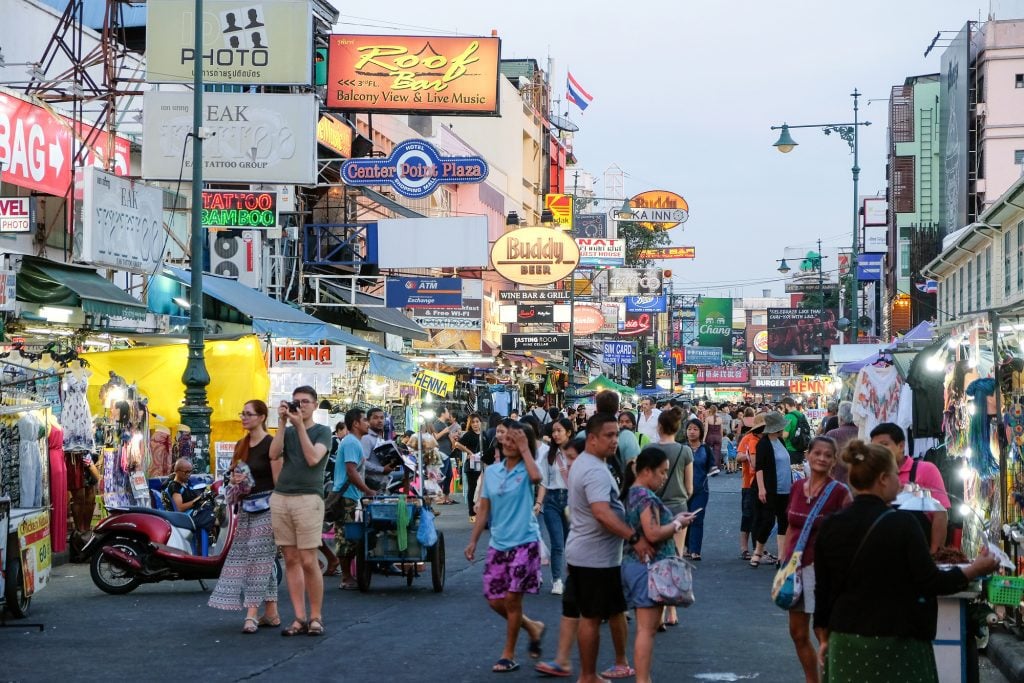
137,546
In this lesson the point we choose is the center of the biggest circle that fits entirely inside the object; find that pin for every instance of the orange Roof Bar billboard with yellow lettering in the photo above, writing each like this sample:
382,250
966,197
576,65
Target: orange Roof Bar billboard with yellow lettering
413,74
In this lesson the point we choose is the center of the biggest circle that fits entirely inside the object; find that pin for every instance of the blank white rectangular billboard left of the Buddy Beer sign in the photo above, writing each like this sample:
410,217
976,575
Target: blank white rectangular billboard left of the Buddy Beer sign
433,243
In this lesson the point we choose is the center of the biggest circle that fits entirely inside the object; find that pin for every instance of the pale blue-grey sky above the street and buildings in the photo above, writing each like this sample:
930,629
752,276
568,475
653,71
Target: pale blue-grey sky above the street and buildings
686,94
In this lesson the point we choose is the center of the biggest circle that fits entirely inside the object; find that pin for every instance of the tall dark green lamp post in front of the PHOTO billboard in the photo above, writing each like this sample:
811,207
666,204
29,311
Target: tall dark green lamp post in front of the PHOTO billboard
196,411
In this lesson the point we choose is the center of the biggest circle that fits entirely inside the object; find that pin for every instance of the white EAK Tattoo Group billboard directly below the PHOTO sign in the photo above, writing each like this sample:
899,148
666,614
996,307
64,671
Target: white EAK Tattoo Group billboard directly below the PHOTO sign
255,138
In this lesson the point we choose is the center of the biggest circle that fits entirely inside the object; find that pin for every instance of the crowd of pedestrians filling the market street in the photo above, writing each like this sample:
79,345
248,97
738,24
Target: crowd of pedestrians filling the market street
623,498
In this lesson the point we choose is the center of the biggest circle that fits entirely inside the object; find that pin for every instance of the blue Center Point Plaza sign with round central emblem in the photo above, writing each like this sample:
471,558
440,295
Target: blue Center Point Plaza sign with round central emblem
414,169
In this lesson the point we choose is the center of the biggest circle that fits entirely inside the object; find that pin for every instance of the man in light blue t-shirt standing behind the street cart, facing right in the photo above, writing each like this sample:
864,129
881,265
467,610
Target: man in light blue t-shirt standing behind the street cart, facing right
349,472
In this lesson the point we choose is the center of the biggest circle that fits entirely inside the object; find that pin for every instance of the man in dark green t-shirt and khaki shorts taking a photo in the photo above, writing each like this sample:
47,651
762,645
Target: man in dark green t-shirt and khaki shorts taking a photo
297,505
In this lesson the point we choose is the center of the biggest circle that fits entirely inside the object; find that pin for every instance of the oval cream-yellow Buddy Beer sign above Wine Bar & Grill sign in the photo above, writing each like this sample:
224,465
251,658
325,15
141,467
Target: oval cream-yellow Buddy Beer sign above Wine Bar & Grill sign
535,255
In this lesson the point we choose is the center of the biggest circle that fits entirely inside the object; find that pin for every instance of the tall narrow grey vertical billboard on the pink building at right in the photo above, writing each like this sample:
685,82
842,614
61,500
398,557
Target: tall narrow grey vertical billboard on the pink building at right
955,89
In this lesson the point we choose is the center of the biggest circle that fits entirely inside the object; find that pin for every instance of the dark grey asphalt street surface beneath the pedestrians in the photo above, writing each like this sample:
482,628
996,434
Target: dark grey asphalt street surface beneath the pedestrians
166,632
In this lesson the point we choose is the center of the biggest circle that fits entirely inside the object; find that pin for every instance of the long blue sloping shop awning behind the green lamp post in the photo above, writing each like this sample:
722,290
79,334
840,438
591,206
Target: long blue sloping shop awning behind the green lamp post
274,318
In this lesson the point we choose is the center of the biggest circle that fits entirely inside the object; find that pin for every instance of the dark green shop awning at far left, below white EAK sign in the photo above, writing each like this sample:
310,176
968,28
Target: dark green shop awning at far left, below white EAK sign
51,283
